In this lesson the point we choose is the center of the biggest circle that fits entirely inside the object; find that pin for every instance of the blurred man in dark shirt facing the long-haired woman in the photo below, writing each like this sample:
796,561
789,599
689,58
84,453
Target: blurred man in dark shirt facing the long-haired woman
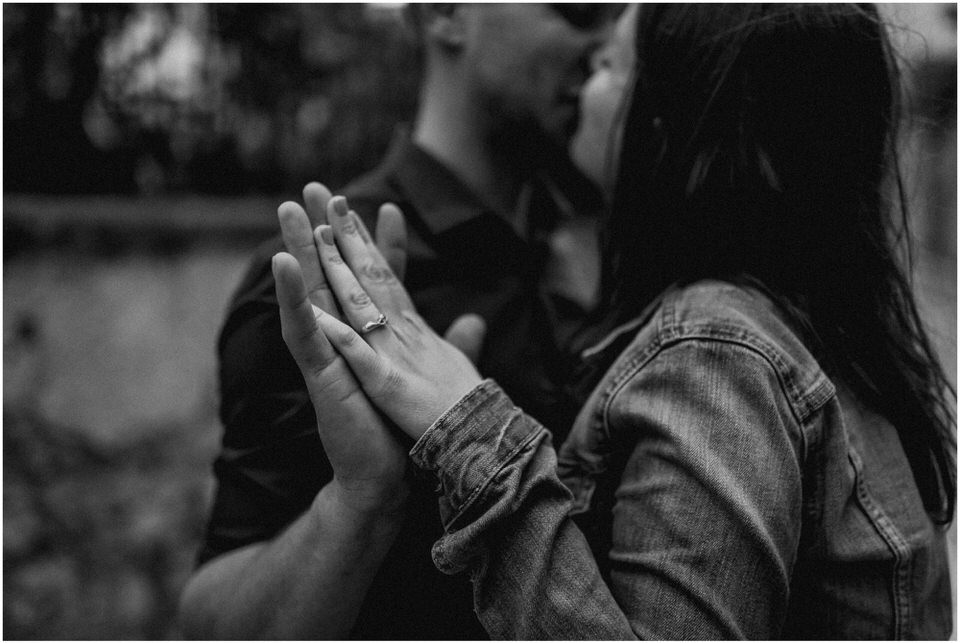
306,540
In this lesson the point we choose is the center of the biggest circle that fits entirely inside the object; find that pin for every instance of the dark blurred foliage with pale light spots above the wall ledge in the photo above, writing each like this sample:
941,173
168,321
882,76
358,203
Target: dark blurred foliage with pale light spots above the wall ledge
203,98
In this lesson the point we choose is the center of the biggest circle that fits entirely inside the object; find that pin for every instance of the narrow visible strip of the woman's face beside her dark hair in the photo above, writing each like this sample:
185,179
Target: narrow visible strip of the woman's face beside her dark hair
595,147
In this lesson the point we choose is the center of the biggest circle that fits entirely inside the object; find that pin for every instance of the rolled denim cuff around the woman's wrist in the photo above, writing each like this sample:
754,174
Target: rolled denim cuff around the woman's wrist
471,442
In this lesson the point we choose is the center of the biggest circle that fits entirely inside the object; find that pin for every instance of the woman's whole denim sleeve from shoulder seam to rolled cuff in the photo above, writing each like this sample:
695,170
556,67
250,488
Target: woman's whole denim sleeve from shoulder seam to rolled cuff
707,518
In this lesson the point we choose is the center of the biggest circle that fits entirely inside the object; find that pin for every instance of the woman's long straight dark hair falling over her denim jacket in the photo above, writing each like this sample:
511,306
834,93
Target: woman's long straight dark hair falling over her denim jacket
759,145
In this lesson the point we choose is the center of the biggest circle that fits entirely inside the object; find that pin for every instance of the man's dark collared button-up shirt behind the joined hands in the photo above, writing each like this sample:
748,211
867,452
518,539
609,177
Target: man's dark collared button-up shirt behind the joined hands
462,258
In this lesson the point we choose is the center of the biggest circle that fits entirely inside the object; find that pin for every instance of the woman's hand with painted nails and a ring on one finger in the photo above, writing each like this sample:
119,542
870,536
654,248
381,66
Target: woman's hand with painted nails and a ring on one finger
406,369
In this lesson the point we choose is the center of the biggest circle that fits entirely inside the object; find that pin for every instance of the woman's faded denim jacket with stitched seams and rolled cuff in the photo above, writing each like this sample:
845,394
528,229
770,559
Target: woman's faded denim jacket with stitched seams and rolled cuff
726,487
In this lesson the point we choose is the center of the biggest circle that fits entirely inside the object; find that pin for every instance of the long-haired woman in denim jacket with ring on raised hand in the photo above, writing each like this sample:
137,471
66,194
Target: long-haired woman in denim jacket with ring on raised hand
768,449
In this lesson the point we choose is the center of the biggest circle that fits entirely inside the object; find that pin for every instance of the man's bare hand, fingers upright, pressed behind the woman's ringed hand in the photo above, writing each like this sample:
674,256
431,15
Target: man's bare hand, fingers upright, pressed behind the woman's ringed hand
367,459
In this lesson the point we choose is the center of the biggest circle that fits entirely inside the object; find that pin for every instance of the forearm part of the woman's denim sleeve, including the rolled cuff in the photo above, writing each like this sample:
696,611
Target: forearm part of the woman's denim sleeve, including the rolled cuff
504,514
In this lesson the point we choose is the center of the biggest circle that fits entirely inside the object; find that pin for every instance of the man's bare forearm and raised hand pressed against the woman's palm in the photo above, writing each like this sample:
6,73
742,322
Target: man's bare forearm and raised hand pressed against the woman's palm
310,580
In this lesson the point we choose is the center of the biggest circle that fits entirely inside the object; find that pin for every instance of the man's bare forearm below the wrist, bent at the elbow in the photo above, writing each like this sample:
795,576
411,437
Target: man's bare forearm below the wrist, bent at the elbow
308,582
